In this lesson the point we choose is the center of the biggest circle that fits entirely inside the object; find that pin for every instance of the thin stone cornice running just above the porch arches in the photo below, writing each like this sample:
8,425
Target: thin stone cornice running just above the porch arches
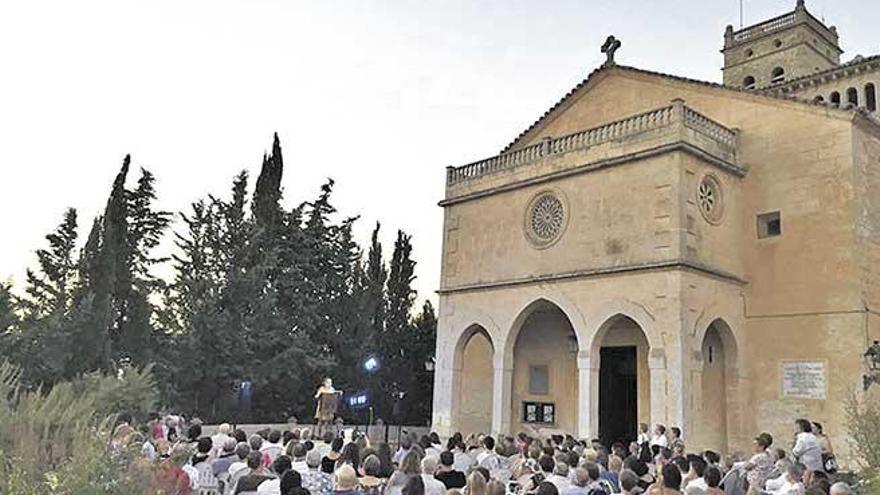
677,264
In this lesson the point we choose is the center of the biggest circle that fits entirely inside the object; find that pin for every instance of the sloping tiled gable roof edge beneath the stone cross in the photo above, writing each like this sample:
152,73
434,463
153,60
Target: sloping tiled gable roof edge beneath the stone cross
759,94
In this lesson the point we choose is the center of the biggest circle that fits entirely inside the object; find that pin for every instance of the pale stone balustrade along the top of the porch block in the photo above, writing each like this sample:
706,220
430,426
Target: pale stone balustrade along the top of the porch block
674,114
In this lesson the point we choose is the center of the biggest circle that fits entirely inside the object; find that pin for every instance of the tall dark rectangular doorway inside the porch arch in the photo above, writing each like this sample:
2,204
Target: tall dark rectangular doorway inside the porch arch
618,395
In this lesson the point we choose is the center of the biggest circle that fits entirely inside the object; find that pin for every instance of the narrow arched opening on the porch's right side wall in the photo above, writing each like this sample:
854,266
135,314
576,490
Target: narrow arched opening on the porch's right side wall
718,353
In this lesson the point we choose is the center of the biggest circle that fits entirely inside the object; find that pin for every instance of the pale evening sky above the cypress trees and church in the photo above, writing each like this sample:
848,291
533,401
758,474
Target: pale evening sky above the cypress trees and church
378,95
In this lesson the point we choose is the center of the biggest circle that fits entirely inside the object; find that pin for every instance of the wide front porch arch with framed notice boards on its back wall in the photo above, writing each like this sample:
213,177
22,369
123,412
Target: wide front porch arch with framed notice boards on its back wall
545,375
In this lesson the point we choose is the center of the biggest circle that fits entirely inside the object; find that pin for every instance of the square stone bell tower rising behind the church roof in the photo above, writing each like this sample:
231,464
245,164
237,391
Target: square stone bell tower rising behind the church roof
792,45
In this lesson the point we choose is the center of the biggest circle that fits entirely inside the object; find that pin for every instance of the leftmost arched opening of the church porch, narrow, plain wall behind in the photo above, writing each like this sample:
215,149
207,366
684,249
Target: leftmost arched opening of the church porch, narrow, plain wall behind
477,377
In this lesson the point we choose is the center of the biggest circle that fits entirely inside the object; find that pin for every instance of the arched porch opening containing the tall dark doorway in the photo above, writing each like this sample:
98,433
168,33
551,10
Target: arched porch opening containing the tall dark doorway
624,380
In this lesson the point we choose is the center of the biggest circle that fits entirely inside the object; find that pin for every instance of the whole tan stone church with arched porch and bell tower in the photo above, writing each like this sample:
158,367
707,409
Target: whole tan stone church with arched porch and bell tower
662,250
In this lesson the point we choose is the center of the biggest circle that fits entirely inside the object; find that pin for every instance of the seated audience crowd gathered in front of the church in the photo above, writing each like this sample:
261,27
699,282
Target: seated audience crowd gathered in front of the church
298,462
